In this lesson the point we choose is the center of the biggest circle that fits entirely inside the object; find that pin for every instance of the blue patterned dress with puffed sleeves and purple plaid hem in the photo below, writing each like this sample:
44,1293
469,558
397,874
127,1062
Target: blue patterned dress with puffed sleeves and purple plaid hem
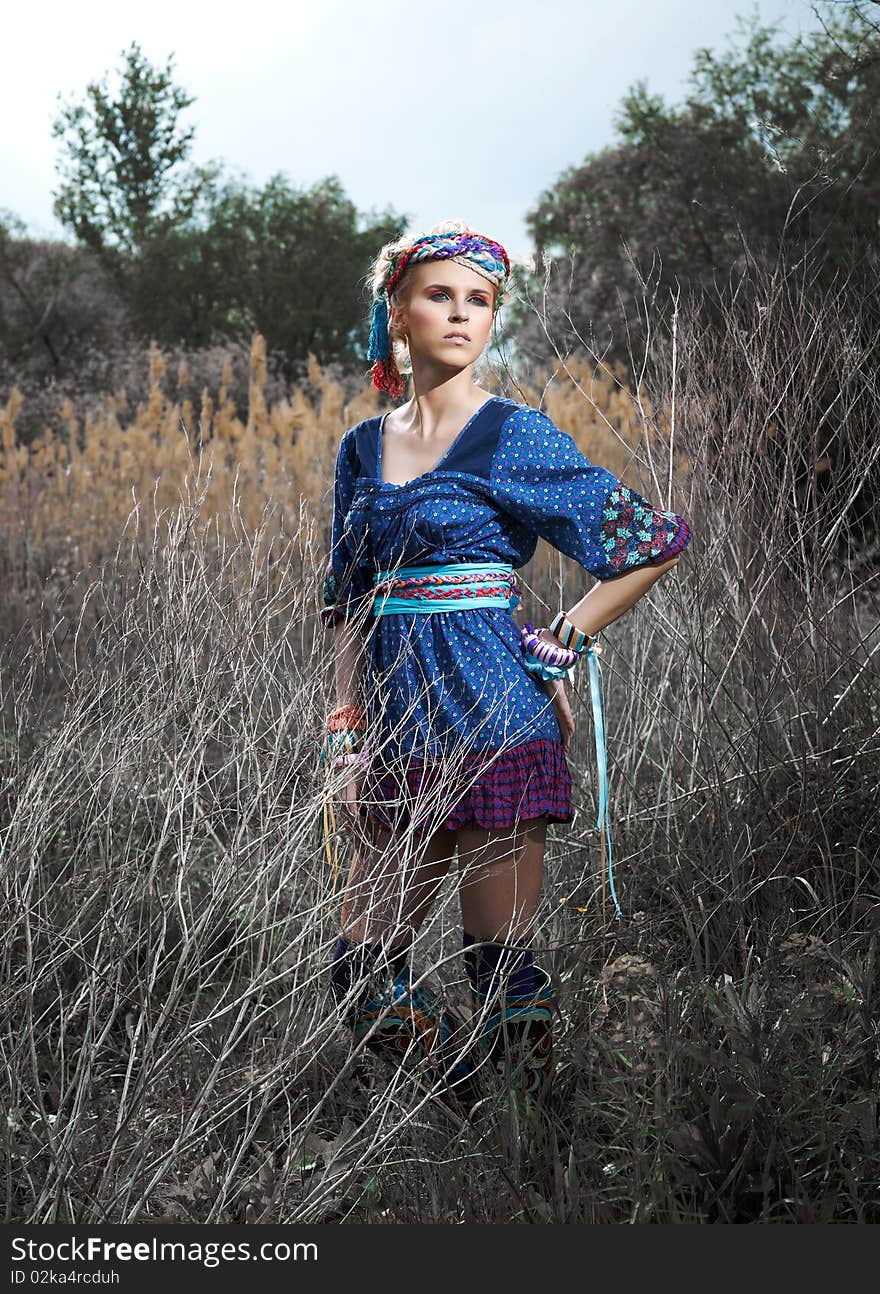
464,736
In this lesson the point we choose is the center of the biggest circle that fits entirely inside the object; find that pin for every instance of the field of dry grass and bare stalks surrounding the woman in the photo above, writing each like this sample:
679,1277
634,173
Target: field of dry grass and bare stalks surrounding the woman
169,1046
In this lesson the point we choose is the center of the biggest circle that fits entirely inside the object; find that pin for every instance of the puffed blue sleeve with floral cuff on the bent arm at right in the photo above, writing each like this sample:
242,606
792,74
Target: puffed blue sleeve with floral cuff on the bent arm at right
540,477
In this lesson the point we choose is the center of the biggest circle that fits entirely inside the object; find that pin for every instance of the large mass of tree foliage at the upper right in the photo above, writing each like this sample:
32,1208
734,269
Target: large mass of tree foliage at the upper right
777,147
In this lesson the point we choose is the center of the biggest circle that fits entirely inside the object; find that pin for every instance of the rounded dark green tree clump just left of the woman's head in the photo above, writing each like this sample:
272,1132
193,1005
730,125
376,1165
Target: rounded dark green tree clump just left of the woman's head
281,261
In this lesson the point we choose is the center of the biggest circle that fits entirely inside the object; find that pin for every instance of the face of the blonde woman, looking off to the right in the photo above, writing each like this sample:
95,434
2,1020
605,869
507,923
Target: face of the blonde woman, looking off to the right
447,297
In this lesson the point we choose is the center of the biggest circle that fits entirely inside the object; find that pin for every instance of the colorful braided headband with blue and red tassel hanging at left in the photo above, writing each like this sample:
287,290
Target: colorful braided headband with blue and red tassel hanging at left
487,256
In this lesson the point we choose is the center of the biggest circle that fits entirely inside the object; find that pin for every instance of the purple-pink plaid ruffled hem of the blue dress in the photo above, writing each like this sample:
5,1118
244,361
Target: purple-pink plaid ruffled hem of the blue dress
523,782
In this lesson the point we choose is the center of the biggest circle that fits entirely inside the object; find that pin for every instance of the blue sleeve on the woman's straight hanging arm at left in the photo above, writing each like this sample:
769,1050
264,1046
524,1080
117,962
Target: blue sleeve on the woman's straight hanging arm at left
347,582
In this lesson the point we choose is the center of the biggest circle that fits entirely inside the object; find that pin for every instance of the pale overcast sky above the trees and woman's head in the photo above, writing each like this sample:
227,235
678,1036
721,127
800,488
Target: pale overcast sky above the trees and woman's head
432,111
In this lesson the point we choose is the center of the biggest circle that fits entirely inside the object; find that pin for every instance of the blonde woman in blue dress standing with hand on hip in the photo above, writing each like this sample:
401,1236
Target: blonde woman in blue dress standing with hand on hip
460,747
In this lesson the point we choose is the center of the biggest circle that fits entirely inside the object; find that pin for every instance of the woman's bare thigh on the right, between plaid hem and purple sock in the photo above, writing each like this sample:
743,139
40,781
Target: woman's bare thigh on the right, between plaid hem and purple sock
500,879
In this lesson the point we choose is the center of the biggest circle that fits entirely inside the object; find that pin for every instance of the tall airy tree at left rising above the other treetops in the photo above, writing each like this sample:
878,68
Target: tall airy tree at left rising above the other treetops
122,162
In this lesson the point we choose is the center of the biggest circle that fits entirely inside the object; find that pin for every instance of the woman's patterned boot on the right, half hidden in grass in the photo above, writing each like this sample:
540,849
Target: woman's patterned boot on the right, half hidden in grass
517,1038
